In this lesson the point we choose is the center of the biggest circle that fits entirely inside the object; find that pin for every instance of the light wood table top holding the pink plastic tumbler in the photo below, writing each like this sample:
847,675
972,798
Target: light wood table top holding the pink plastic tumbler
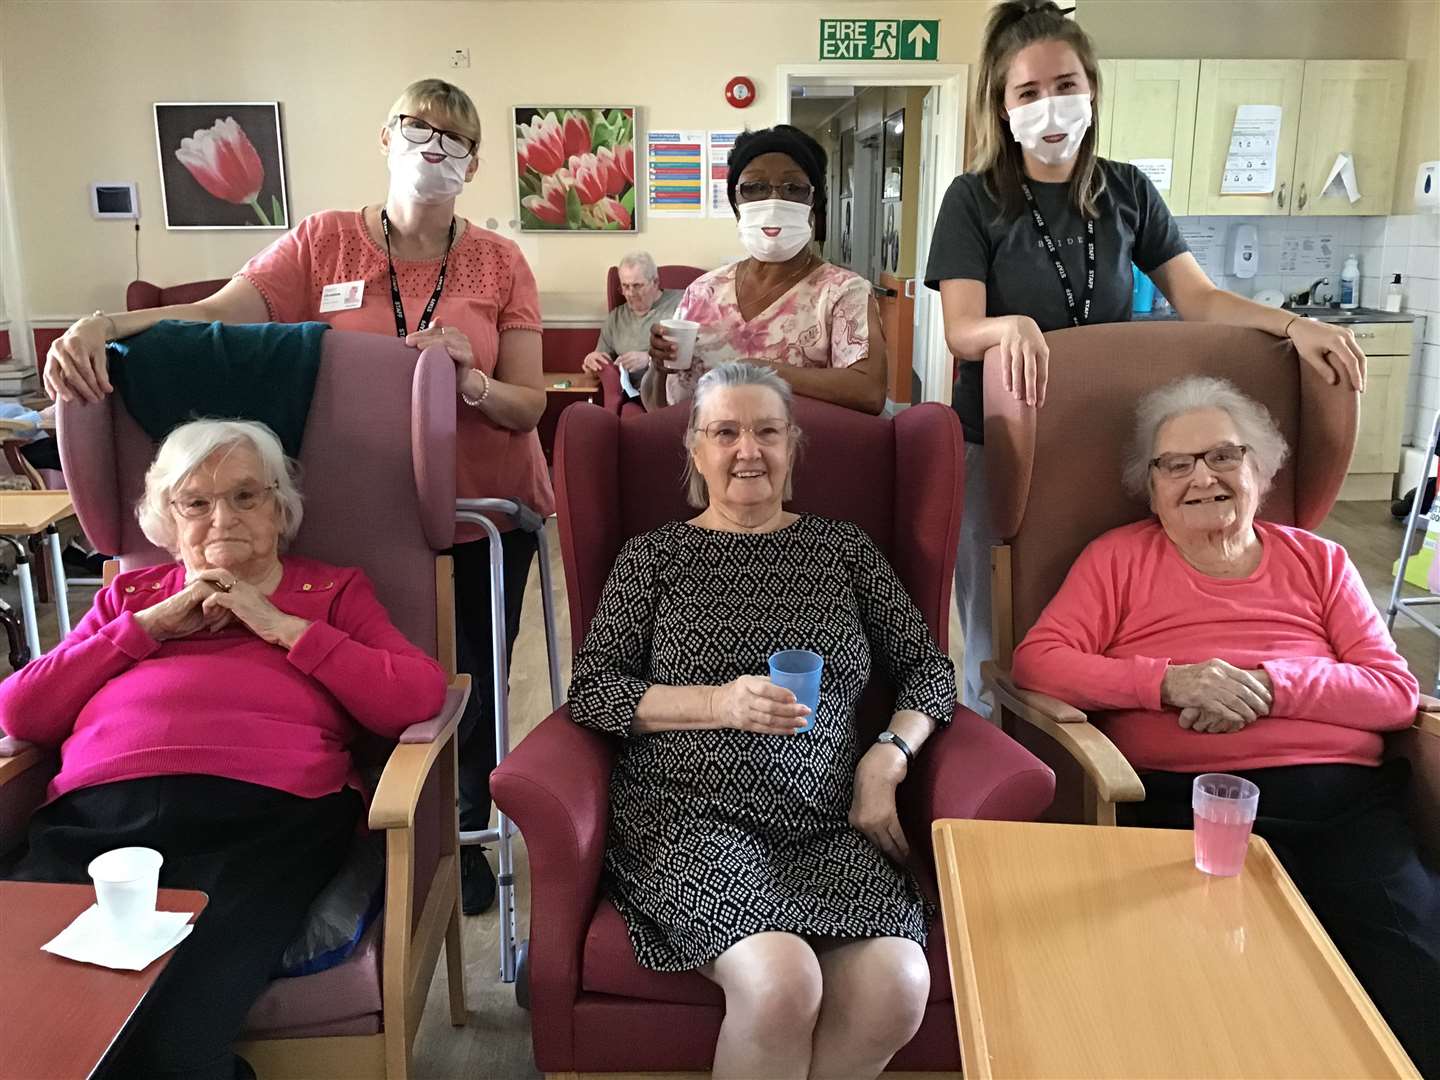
1082,951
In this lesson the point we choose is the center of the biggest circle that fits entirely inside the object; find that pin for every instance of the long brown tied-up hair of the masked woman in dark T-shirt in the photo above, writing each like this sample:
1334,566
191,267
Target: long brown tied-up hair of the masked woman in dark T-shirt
1013,27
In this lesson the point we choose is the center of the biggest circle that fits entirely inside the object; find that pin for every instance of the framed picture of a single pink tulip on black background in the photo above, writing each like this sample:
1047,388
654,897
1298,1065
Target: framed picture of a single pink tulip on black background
222,165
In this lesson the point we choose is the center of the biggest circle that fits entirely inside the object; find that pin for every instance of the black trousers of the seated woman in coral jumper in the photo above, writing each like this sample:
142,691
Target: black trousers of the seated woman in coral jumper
1341,834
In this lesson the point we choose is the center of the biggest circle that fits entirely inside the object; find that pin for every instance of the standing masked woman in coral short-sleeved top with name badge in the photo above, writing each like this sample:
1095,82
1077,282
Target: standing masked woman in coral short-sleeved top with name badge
408,267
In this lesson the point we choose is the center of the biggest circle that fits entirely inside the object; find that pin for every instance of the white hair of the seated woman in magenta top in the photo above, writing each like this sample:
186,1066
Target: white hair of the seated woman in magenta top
188,447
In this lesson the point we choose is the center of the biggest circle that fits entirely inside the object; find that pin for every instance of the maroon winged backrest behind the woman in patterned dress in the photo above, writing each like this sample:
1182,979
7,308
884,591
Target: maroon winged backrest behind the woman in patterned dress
899,479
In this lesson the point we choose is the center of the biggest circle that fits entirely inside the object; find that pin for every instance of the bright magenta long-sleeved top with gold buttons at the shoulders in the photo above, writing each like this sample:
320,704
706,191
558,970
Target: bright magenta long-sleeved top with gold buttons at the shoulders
122,705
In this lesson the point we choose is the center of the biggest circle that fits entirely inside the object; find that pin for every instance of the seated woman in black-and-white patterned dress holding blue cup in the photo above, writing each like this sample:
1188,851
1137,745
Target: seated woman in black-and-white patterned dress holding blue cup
741,847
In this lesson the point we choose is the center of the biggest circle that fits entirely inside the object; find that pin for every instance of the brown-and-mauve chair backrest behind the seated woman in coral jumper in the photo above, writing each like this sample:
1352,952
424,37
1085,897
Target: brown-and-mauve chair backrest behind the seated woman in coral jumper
1056,472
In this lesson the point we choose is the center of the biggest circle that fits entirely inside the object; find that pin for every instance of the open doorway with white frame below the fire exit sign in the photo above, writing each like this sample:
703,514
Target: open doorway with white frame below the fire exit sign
895,136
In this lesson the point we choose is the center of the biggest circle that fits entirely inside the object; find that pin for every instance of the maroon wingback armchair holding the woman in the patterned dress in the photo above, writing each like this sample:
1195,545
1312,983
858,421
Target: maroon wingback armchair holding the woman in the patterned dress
595,1009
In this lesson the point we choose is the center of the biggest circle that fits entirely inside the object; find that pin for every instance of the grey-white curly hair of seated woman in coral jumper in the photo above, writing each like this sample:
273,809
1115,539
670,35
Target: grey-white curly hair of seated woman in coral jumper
1254,423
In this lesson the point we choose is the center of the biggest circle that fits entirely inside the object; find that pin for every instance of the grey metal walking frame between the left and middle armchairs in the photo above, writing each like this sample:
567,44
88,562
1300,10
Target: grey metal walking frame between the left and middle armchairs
477,512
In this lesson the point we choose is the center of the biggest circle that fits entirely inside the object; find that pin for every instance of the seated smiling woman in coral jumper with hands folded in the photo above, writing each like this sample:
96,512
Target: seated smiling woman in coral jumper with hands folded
1216,643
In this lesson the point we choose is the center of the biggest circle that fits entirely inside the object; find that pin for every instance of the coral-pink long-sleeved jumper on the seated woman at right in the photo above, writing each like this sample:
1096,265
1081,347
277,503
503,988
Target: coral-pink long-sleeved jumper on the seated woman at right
1133,606
